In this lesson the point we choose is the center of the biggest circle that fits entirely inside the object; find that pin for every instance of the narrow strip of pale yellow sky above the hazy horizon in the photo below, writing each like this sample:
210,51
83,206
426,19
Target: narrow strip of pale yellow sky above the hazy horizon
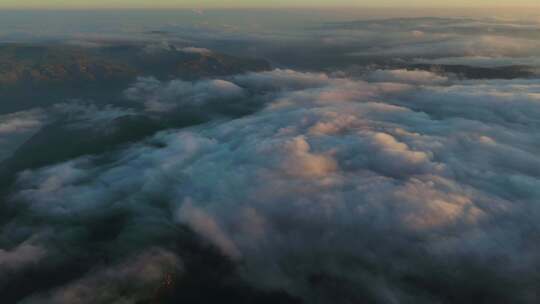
106,4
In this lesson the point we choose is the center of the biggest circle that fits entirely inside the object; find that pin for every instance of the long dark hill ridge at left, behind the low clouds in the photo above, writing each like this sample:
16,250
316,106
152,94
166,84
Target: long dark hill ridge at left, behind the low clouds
43,74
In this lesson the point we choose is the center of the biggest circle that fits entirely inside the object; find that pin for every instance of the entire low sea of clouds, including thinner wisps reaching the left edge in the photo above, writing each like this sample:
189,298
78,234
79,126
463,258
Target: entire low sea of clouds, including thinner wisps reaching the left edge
403,186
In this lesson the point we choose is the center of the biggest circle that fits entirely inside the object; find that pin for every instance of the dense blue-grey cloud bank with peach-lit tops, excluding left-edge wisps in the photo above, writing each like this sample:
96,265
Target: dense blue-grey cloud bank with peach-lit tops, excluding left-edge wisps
356,182
